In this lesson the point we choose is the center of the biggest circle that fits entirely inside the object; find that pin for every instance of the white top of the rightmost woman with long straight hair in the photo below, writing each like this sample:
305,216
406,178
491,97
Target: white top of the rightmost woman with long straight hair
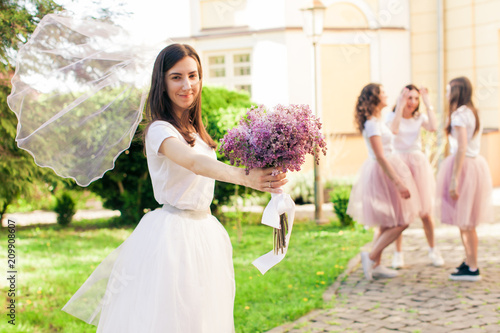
464,117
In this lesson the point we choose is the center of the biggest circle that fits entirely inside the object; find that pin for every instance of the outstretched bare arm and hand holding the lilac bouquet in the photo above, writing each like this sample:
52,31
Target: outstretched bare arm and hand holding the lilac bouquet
259,179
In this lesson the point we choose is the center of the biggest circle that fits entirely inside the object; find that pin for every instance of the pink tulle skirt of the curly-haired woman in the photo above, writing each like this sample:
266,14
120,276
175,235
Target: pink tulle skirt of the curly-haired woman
375,200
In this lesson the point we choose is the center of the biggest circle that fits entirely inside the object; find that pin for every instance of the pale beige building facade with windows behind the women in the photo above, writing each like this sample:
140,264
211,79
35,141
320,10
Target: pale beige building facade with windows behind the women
260,47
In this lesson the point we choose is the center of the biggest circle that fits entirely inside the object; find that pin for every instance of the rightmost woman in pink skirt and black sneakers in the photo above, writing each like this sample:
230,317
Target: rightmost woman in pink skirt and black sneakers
464,181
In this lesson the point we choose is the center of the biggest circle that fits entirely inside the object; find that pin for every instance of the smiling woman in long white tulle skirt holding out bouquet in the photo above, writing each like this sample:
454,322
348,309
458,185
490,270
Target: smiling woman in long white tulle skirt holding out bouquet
175,272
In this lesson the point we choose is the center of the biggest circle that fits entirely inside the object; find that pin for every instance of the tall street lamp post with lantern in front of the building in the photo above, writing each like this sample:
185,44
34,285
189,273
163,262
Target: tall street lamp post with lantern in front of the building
313,27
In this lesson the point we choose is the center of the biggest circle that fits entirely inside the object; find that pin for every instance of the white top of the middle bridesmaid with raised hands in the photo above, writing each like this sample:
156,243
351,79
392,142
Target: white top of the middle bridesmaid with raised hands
408,137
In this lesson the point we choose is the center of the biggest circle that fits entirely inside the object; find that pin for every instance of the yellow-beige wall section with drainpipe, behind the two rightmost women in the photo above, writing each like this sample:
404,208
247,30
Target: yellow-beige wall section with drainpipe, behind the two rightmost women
471,44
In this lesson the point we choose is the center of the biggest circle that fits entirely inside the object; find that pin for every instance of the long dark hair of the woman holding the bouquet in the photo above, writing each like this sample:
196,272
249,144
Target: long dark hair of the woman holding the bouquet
159,106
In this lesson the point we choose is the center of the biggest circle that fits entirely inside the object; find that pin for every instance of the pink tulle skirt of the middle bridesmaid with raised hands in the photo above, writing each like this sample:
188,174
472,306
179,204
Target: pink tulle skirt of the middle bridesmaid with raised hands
424,179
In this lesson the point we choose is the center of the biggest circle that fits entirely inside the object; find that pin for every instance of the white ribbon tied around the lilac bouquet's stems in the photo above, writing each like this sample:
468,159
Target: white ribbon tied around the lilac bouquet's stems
279,204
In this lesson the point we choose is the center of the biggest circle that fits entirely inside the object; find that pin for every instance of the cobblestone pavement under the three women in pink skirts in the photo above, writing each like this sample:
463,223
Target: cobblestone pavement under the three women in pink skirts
421,298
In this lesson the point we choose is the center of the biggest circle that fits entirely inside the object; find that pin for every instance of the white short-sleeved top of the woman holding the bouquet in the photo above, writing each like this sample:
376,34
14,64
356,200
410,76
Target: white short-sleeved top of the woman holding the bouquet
172,183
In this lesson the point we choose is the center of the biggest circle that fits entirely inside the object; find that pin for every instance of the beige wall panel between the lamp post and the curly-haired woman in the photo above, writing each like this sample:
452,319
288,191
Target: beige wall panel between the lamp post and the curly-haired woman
346,149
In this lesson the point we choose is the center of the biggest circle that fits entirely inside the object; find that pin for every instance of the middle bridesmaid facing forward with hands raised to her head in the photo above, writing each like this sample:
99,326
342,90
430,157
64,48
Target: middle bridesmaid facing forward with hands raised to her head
406,123
